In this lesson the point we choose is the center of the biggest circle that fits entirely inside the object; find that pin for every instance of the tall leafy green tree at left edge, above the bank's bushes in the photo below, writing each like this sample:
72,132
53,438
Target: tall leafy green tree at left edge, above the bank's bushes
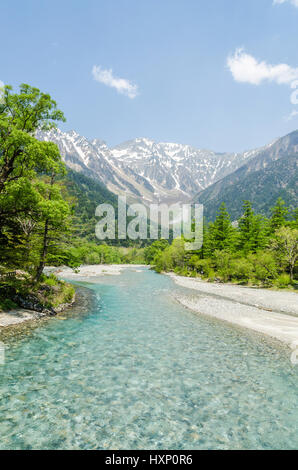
24,202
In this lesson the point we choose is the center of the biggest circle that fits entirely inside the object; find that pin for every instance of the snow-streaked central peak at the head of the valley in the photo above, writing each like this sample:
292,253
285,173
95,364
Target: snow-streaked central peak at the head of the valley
175,167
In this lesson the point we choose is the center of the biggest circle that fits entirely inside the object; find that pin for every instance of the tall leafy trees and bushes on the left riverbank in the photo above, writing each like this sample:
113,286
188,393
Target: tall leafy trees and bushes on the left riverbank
34,214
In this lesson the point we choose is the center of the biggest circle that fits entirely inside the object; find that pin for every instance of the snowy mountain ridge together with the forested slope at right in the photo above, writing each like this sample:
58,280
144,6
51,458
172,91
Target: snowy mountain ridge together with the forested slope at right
150,172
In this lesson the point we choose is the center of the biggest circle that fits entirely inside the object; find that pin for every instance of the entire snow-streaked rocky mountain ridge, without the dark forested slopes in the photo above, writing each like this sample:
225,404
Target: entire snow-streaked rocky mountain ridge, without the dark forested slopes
145,170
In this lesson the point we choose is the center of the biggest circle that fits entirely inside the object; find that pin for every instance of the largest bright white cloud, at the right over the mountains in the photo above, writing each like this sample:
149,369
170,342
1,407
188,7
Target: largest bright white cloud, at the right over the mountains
247,69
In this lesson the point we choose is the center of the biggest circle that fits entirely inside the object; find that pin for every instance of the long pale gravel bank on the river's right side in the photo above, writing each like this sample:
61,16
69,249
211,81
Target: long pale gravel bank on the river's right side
258,310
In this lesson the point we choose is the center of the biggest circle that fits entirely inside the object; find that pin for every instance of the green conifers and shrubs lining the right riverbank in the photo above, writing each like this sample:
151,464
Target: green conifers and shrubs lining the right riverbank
255,250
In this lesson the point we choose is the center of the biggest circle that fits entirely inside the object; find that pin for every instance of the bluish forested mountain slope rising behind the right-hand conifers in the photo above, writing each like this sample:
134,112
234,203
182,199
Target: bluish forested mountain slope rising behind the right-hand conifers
270,174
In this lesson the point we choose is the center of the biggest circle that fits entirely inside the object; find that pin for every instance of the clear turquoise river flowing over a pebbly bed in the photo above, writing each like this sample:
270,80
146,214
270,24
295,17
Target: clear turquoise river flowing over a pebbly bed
135,370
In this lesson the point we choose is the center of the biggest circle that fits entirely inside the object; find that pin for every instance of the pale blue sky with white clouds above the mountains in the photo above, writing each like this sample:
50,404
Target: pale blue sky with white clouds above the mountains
199,72
